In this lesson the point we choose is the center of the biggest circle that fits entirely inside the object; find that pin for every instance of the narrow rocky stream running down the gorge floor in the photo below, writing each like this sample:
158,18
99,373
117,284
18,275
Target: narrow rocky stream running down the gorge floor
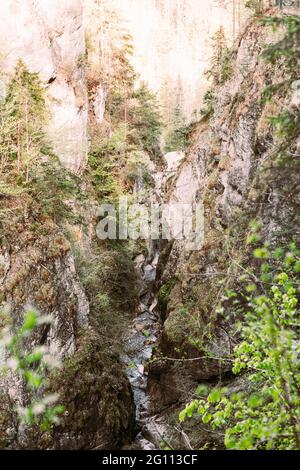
144,331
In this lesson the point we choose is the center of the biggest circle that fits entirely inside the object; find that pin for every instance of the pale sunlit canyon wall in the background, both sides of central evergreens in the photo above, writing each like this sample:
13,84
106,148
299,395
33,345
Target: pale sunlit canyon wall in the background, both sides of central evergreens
172,49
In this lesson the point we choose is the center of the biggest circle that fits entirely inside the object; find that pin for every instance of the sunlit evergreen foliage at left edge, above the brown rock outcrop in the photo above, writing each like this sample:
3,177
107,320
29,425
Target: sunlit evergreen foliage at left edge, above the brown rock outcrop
27,163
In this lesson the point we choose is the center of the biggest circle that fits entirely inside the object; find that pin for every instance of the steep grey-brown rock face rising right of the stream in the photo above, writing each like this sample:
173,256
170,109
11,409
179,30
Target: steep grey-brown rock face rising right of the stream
231,169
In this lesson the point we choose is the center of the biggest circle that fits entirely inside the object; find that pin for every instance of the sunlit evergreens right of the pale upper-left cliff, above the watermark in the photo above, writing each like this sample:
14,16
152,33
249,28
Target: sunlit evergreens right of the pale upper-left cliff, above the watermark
135,125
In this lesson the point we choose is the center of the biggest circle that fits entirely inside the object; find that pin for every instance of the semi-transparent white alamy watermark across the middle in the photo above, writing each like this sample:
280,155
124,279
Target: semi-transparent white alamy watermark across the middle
173,221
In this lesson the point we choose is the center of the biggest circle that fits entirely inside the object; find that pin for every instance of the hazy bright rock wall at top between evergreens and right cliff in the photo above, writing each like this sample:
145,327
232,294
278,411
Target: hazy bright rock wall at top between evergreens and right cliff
172,40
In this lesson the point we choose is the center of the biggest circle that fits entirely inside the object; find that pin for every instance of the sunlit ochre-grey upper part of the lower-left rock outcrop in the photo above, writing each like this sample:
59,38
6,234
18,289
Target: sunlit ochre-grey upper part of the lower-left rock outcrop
52,285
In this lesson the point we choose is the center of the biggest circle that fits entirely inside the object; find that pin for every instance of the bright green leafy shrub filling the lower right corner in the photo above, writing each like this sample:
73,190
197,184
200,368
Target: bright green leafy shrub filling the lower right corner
269,351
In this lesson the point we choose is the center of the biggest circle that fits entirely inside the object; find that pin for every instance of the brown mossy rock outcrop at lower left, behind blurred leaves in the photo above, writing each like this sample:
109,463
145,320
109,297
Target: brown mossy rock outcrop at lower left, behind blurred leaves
38,270
